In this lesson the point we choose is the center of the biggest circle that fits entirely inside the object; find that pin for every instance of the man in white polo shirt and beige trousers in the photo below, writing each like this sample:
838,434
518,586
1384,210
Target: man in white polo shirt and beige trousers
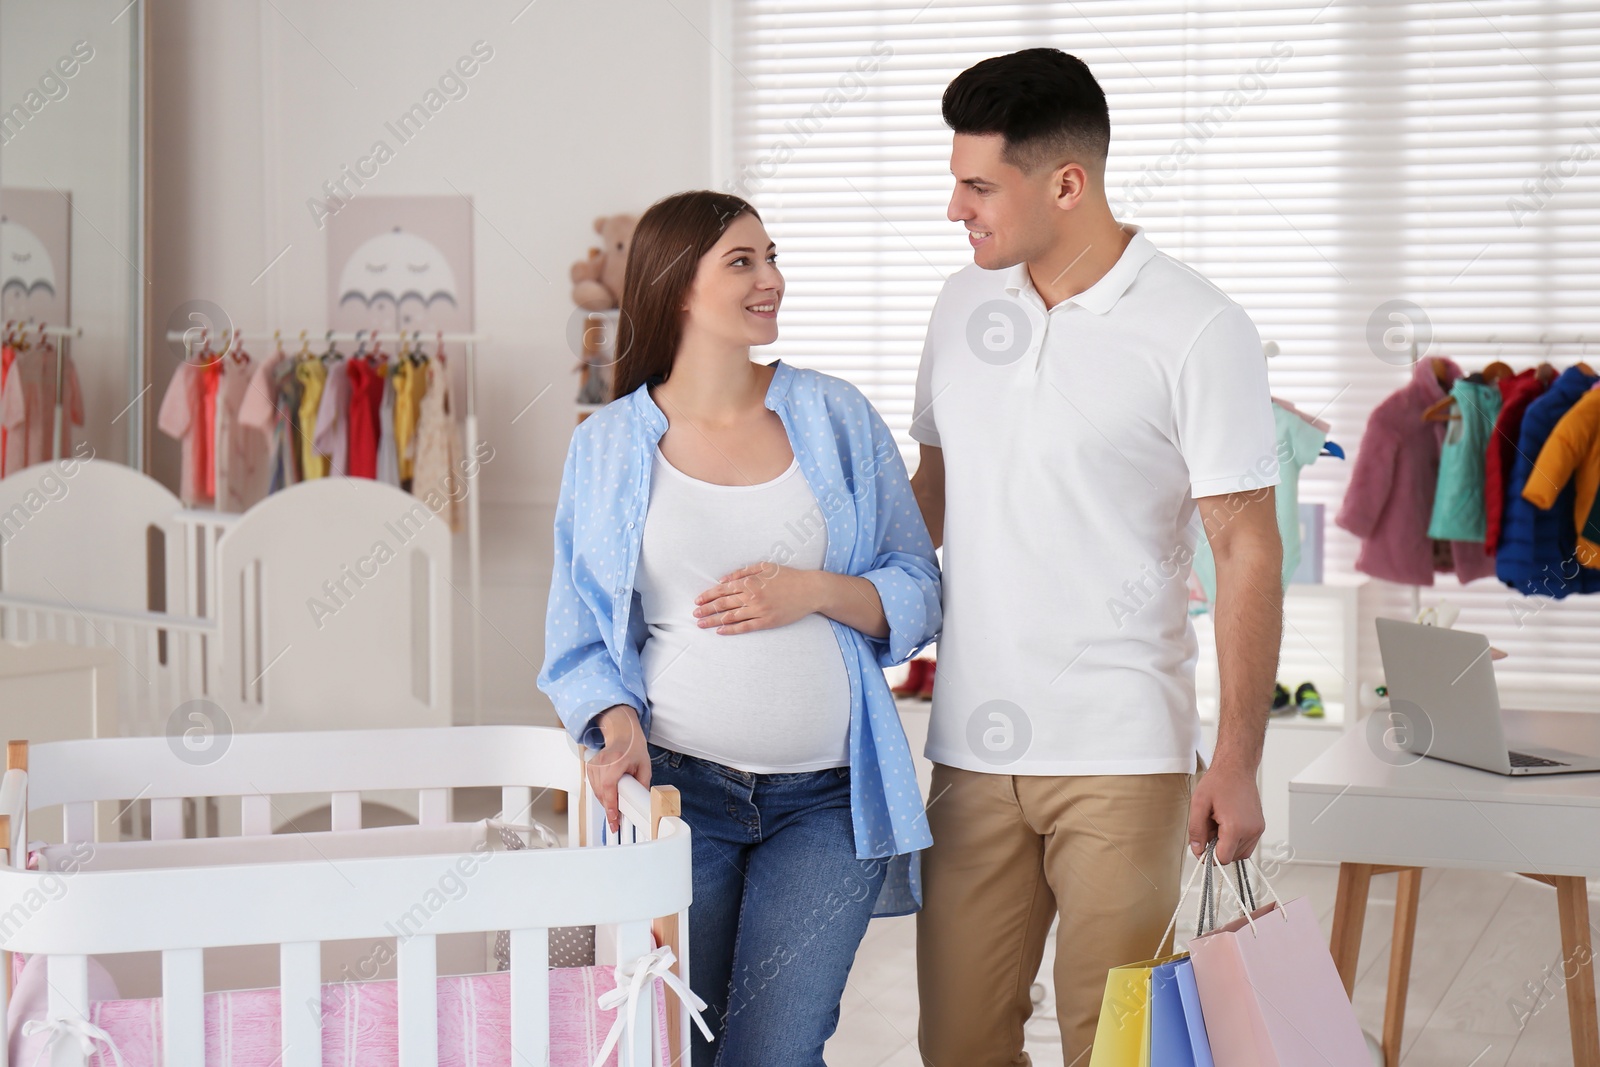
1082,396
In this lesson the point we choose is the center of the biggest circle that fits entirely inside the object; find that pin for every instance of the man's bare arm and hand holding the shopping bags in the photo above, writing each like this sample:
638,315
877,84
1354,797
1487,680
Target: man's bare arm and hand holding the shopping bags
1249,612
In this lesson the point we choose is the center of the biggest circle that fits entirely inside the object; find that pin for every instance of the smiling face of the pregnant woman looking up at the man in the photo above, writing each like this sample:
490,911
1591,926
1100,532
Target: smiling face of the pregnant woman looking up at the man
737,287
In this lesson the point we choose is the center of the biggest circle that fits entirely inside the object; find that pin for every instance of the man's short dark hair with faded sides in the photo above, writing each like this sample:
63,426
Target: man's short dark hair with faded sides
1046,105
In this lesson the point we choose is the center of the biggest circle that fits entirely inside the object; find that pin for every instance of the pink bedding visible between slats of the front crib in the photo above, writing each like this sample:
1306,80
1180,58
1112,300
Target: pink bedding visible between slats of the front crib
359,1023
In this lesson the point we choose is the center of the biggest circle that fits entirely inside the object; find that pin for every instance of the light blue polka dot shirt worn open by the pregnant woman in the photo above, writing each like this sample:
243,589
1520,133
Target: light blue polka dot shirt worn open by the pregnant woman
594,629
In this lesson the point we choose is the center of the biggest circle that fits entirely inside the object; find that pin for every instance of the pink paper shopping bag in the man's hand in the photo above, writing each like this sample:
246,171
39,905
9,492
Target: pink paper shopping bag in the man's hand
1270,993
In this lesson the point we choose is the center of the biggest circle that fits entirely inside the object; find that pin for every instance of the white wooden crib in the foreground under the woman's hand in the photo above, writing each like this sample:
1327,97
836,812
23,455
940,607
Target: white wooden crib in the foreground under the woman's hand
634,889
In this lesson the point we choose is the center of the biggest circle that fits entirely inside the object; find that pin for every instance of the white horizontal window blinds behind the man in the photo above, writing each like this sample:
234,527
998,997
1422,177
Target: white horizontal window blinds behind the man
1318,161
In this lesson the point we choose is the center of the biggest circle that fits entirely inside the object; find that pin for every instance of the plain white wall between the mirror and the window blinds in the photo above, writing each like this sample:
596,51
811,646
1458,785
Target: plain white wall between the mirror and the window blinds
583,110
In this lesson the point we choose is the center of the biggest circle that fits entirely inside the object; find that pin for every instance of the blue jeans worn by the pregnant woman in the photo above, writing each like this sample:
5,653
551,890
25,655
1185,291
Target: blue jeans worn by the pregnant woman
782,905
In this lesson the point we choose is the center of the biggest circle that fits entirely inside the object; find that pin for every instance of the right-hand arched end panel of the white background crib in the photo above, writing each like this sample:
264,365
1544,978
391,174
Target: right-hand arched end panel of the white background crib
335,610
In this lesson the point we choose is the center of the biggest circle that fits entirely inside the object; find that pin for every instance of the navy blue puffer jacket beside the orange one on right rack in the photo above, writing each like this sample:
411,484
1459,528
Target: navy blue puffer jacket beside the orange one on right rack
1537,546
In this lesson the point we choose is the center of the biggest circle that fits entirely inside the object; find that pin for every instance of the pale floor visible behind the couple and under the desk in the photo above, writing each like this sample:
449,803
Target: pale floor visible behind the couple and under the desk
1487,948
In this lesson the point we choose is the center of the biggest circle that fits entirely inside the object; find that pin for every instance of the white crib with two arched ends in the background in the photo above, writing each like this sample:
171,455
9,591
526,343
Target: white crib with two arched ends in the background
324,607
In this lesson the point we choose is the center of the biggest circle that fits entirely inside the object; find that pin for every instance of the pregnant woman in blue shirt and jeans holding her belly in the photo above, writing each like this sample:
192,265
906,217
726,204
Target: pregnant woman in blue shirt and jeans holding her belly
738,554
